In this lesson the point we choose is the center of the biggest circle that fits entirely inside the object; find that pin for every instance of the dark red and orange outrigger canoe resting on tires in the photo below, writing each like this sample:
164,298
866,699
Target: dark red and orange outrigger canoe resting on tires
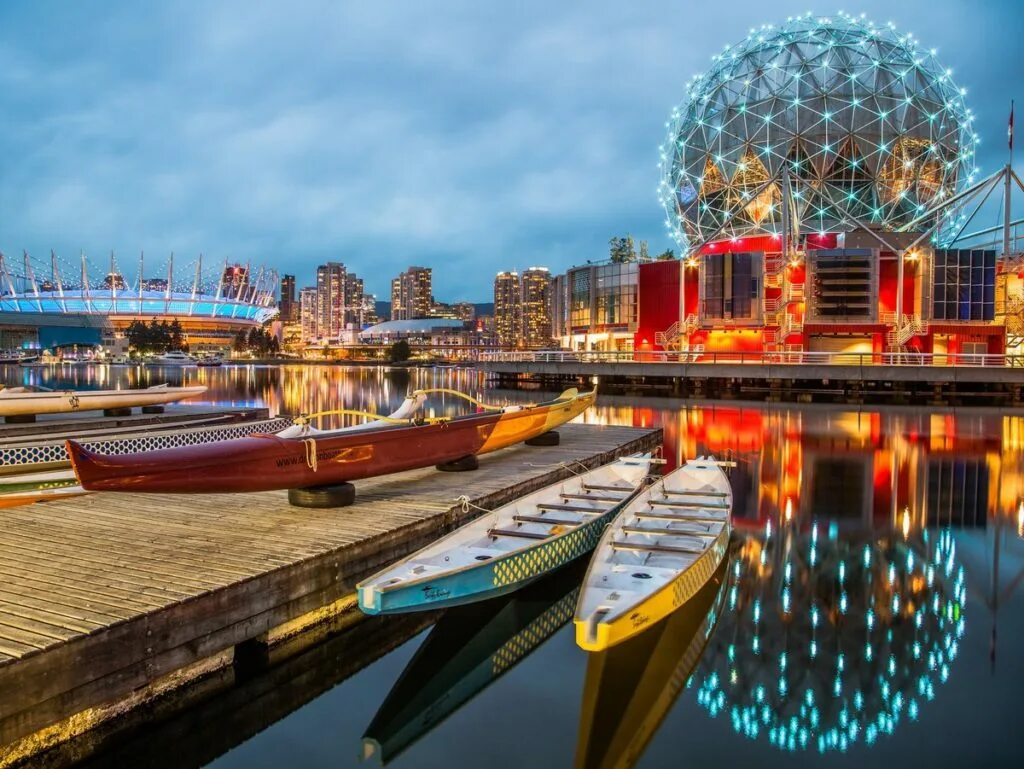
310,458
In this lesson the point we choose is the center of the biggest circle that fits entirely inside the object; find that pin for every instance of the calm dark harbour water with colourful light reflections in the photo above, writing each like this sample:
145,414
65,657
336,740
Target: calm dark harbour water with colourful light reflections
872,613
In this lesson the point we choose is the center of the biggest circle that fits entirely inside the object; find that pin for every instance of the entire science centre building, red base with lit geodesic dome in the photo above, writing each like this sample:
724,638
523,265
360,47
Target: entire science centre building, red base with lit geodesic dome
821,184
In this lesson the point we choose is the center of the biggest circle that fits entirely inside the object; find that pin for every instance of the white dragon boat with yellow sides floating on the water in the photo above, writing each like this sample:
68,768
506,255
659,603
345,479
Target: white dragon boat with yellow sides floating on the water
656,556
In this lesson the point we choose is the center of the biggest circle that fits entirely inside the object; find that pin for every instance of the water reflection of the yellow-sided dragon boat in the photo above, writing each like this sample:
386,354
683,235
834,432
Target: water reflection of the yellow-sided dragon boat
630,689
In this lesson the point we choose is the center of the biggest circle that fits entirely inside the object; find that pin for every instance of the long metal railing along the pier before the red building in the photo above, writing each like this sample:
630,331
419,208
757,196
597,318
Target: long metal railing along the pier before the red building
760,359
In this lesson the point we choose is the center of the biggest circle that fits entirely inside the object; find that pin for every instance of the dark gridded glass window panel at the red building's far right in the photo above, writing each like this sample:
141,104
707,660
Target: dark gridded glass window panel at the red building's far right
965,285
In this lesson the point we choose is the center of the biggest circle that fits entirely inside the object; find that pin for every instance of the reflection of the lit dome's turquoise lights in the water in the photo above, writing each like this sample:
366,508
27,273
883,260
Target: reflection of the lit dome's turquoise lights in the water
832,640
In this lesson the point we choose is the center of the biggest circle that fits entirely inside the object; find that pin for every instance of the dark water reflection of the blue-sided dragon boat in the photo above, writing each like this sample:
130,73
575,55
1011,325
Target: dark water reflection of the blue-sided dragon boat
468,651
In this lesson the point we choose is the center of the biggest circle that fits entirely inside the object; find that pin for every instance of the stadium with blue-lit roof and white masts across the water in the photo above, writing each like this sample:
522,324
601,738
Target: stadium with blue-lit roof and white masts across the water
44,306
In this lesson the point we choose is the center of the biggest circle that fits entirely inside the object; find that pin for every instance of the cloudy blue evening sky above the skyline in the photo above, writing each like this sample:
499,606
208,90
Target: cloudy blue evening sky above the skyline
466,137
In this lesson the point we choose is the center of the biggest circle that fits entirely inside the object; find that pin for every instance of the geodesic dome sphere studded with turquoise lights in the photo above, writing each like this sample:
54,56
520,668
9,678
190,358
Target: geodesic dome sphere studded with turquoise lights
869,124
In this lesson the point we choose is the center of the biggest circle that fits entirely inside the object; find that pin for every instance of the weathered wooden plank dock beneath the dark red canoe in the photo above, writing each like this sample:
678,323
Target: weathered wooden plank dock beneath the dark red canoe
105,594
